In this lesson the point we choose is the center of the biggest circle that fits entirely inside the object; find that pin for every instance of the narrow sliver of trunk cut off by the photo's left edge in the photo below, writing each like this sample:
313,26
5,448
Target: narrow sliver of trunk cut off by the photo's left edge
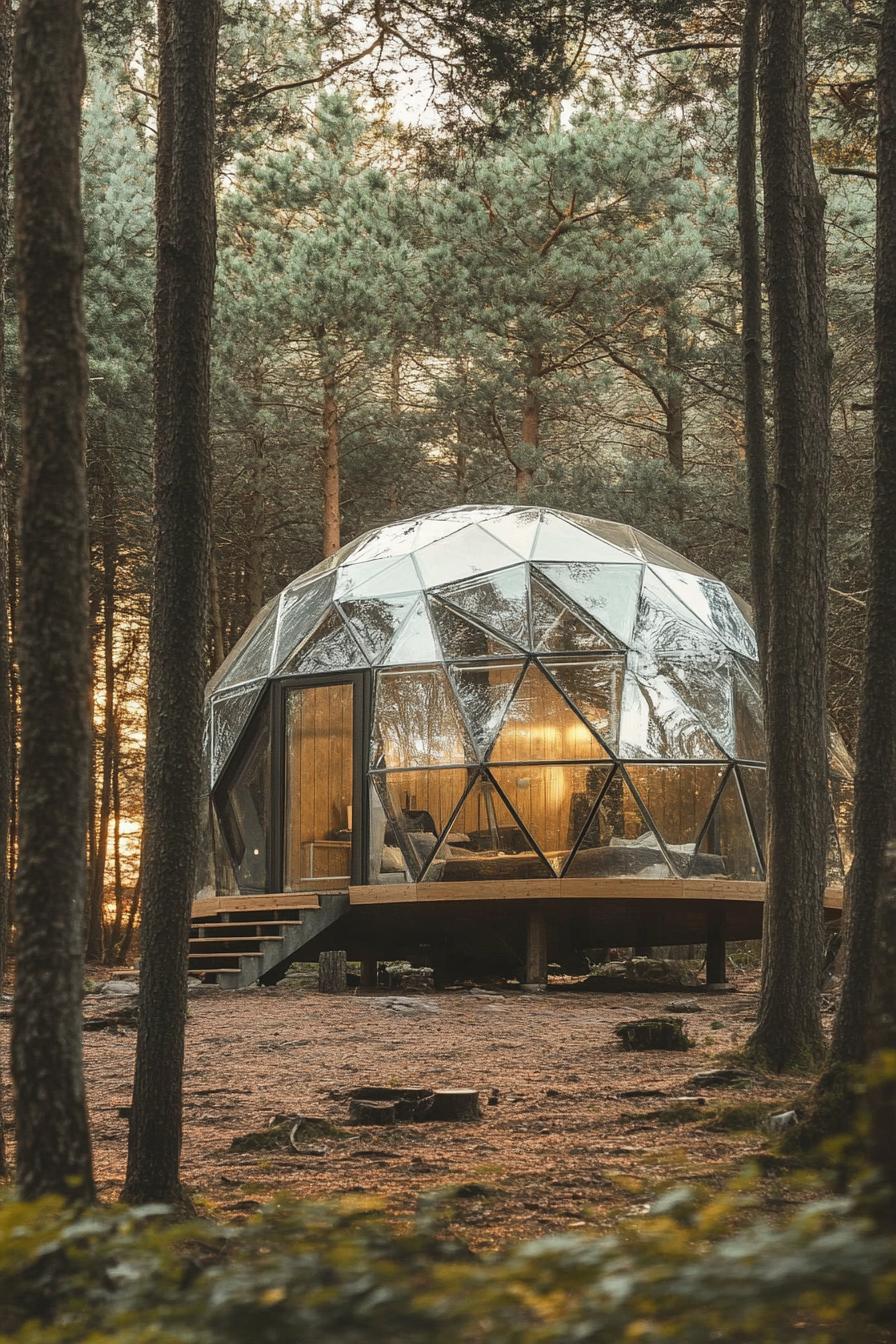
6,700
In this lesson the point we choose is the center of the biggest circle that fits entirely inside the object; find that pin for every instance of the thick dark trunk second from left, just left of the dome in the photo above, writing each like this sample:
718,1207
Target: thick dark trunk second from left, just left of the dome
174,788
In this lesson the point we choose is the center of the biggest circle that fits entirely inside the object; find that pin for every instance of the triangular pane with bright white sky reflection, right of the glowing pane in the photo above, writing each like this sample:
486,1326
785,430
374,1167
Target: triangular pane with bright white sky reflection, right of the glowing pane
655,721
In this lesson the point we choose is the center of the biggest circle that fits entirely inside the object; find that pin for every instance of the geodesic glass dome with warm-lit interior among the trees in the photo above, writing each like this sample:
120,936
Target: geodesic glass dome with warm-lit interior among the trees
488,694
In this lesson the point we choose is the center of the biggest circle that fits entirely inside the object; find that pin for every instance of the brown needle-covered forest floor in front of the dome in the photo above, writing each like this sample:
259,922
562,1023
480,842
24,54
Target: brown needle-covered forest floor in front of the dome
580,1134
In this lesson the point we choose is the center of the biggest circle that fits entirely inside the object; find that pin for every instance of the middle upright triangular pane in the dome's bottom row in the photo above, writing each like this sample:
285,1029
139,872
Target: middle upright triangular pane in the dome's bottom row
619,841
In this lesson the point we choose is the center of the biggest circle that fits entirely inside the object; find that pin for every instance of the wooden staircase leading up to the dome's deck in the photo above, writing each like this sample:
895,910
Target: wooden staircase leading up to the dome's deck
233,947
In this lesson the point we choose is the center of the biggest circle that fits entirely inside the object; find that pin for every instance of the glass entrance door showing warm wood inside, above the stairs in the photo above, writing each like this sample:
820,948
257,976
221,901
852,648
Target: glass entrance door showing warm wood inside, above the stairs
319,783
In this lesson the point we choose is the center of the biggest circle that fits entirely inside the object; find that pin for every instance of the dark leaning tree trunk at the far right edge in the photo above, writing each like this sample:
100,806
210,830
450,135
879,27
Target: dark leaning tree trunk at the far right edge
875,816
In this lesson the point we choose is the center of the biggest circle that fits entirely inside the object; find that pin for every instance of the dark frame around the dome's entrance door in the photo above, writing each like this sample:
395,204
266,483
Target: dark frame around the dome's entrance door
362,696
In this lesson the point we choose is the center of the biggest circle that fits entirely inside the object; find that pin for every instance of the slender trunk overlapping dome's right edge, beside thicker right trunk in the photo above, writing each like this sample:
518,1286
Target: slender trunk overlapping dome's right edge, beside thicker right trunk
752,329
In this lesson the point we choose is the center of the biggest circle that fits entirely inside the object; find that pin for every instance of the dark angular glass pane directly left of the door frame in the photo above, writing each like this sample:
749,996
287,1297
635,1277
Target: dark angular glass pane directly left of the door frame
245,811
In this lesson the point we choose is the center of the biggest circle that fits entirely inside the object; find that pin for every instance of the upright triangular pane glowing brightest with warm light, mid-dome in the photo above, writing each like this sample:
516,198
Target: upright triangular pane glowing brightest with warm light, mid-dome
541,726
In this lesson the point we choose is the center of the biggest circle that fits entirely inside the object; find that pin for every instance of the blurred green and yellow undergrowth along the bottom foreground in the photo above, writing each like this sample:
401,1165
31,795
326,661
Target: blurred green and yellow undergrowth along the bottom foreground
697,1268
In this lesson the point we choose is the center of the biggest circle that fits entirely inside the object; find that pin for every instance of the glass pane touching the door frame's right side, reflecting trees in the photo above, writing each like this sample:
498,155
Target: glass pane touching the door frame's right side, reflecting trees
417,722
